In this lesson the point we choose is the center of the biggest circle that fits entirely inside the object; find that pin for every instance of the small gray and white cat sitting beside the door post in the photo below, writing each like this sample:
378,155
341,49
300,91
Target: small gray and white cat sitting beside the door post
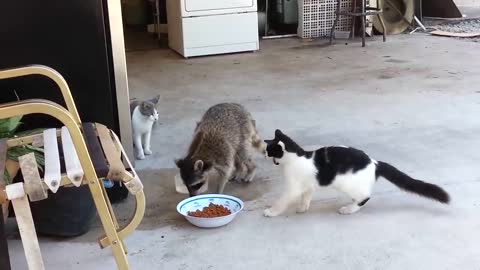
144,115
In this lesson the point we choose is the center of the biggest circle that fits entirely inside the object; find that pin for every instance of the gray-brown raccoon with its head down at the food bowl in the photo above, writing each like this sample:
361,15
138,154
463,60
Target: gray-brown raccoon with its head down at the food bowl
220,149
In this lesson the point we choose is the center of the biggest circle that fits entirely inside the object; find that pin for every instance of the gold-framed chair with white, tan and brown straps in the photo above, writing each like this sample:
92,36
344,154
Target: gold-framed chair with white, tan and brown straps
94,153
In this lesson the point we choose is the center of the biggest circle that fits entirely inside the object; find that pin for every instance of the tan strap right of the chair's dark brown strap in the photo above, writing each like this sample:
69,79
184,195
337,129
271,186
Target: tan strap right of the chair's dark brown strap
116,168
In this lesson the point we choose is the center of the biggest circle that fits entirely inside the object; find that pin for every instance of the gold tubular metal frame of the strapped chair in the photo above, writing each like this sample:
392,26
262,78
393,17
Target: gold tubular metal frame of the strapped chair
70,119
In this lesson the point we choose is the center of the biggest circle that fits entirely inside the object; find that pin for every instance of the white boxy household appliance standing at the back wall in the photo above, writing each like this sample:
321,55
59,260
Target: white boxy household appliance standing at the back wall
206,27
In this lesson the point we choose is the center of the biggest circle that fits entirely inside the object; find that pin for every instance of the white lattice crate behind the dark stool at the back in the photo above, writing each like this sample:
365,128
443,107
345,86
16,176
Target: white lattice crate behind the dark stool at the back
316,17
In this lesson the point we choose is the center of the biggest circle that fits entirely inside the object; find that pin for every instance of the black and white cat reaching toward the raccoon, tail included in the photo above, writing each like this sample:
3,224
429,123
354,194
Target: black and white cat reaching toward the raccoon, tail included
347,169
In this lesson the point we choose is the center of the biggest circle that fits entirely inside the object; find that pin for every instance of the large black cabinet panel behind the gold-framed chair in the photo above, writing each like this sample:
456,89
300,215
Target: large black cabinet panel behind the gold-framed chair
72,37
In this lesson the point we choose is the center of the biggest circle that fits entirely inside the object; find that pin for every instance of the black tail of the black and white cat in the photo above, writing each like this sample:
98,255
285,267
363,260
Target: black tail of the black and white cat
409,184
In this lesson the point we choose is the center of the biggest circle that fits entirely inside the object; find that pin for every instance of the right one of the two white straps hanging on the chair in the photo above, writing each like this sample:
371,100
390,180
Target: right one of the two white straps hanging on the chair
72,163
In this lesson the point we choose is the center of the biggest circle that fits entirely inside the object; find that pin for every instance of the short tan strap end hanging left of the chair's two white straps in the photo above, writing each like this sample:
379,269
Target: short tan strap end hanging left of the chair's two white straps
31,177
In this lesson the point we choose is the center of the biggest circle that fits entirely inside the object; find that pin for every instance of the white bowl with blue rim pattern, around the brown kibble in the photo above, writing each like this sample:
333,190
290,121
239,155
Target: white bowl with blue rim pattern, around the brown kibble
235,205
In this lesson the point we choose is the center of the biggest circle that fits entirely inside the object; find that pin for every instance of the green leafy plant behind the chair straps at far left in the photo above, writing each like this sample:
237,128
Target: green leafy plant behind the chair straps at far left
8,128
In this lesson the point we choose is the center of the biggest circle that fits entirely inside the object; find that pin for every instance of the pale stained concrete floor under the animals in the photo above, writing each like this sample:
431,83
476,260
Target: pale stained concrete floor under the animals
413,101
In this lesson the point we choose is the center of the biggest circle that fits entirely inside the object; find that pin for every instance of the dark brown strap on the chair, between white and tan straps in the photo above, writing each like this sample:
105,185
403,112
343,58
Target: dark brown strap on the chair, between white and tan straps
95,150
